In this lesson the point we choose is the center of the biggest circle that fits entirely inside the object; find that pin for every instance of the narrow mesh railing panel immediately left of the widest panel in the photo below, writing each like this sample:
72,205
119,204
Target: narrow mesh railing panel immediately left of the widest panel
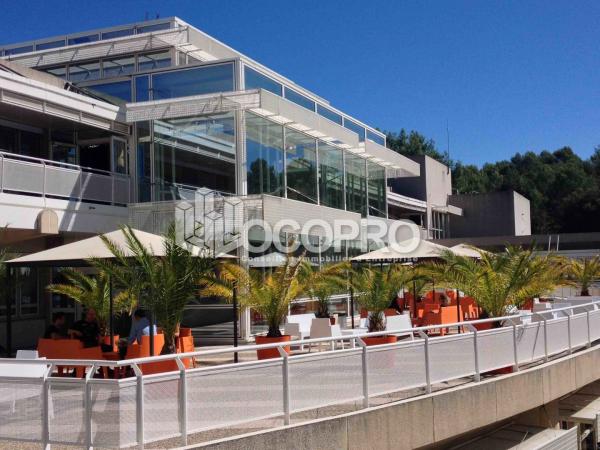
161,408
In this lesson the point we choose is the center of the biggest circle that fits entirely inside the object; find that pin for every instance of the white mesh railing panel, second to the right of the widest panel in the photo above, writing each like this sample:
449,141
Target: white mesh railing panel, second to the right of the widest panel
397,368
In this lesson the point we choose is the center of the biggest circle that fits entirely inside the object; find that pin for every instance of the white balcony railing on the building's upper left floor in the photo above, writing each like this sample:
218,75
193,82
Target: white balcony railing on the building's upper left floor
46,178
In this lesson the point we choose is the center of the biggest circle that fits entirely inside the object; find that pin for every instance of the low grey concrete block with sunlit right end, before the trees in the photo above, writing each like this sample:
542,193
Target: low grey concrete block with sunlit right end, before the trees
503,213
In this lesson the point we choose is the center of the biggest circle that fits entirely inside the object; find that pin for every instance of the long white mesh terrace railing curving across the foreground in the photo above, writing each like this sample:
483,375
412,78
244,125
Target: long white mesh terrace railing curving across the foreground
149,408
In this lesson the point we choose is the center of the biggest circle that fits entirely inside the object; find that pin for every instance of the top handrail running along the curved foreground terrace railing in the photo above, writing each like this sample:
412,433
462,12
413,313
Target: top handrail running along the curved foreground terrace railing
251,348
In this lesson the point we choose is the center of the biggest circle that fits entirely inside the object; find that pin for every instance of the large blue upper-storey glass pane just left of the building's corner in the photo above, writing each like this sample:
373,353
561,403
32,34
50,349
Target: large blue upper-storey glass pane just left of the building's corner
201,80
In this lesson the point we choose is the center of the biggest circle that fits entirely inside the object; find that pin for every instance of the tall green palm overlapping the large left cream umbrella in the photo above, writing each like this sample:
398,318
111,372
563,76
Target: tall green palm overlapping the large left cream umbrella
164,285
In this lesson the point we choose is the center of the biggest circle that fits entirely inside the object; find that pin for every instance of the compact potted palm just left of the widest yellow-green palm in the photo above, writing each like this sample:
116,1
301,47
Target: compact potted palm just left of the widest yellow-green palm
379,287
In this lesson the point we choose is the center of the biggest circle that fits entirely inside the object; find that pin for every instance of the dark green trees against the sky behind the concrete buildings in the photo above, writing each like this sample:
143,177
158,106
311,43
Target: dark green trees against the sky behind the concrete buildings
564,189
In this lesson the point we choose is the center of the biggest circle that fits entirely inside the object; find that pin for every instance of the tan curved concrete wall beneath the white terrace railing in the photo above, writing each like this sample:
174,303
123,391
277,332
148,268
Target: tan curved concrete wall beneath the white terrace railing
432,420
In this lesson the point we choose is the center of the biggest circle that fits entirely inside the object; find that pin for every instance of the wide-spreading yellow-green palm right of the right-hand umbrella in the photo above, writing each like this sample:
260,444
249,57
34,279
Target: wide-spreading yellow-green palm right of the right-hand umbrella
498,281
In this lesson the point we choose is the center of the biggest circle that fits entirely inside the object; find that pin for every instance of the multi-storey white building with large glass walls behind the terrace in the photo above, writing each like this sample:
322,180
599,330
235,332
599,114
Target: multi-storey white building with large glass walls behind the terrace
97,124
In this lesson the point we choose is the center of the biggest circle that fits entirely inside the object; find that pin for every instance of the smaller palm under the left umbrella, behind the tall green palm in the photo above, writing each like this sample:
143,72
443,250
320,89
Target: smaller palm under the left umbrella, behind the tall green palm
92,291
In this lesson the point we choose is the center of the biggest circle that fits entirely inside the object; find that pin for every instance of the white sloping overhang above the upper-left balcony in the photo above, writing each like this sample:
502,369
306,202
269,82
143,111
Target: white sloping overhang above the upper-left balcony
20,92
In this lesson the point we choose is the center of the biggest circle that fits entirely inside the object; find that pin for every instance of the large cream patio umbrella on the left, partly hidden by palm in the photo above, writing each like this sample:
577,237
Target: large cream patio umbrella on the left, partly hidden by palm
78,254
